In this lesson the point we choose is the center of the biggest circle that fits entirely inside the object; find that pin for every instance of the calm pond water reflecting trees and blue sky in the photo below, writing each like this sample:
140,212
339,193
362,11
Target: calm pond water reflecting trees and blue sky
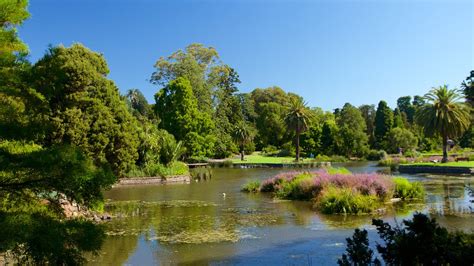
212,222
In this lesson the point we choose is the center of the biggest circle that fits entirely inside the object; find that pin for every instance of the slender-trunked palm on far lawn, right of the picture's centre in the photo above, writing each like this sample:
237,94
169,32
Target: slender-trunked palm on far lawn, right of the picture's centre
297,118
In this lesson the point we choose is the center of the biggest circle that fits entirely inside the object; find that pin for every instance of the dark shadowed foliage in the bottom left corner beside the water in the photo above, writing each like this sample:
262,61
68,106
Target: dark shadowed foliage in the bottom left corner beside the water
39,238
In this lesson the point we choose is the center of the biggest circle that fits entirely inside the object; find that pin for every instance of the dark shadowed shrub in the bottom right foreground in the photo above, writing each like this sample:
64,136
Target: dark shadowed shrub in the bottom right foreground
421,241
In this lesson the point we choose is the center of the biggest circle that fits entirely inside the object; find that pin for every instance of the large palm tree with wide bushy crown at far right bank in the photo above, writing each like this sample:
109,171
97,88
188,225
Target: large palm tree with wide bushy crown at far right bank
444,114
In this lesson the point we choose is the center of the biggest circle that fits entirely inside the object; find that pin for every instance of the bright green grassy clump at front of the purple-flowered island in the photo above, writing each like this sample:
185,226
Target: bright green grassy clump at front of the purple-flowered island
345,201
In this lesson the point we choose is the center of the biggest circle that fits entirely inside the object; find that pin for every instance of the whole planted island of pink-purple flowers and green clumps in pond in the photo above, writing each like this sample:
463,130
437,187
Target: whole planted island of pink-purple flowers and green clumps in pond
337,190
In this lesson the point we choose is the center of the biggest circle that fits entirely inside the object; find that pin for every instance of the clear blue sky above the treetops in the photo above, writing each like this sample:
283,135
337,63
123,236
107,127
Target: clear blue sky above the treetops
330,52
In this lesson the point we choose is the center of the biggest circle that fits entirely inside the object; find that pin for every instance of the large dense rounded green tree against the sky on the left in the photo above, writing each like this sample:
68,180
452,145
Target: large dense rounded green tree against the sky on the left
84,107
